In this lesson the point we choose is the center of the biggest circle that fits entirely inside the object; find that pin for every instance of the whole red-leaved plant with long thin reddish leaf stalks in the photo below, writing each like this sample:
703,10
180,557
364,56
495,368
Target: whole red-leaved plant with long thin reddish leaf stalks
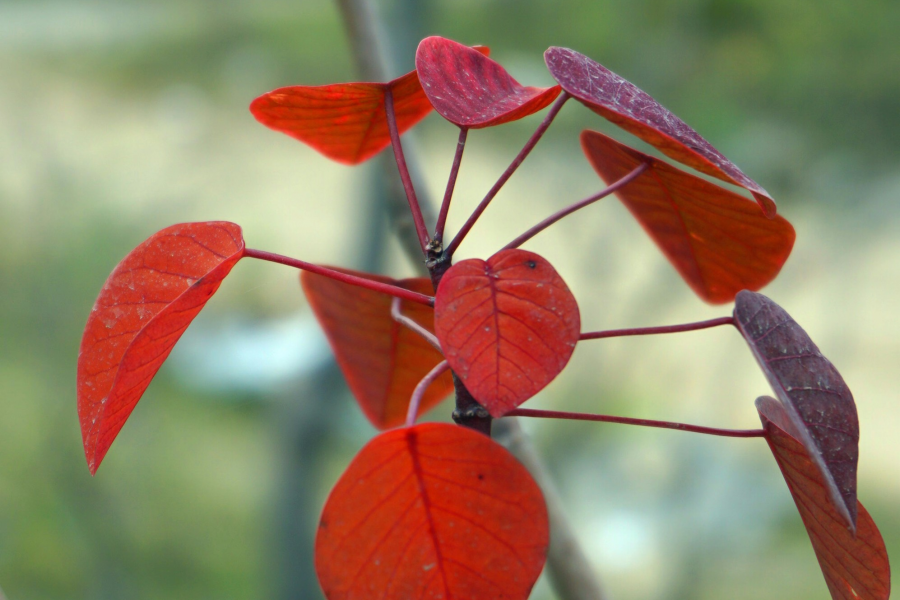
437,510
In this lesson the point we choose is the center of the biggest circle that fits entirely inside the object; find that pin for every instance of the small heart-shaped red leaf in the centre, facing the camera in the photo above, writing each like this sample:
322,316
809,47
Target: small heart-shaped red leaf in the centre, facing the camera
507,326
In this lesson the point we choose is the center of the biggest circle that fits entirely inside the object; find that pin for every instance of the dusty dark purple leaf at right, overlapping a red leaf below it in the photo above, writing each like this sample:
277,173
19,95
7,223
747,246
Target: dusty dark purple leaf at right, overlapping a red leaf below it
816,399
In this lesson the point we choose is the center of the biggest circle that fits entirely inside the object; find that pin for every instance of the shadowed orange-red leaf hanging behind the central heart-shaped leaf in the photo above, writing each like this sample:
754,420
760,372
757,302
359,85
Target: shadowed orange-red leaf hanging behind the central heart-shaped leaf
381,359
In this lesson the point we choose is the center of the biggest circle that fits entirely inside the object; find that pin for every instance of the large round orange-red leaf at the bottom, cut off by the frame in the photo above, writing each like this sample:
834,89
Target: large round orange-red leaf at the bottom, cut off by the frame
432,511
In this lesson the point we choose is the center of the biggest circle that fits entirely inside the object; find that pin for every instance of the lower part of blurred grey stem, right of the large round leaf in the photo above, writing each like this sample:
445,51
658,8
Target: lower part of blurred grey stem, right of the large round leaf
568,567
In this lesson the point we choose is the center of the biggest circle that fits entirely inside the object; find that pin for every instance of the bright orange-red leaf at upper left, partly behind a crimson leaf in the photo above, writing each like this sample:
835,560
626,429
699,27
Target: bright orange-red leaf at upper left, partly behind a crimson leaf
344,121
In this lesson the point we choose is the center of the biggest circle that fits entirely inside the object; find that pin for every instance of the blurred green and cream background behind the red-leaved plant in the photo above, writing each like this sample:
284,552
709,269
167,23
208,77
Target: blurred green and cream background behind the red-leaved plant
118,118
